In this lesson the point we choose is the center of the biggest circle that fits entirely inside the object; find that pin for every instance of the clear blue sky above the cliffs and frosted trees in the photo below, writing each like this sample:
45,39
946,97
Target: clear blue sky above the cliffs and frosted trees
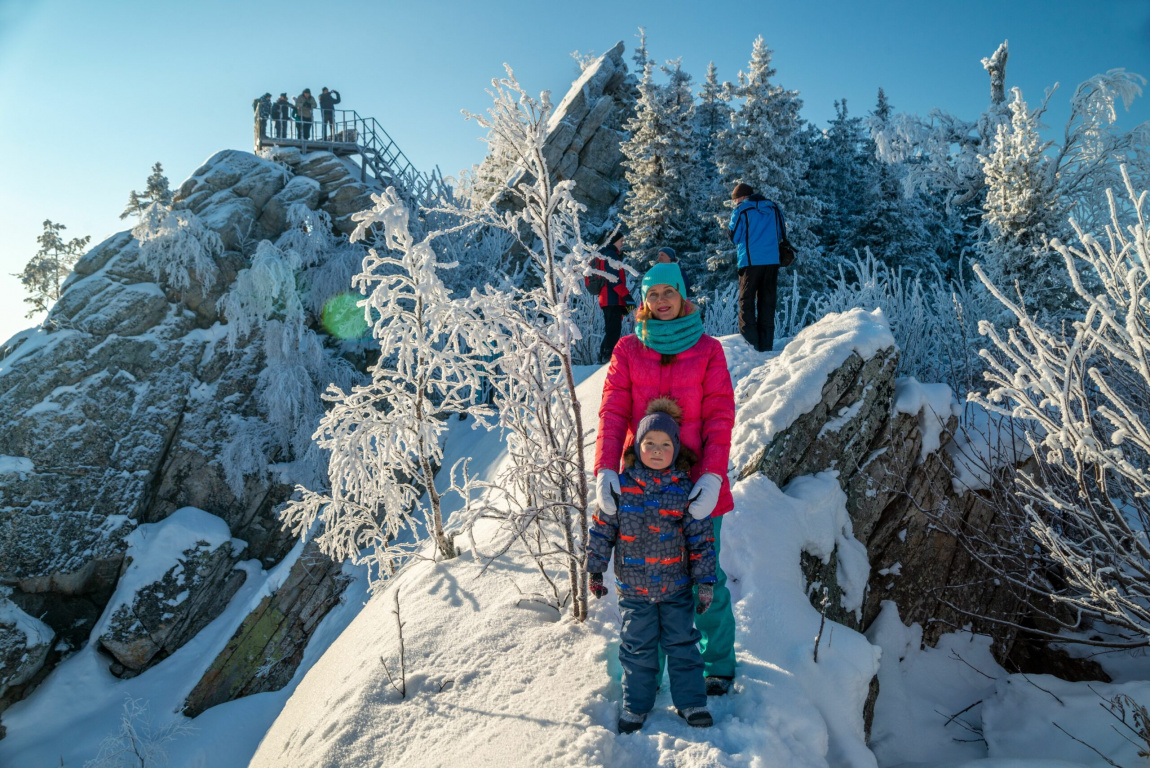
96,93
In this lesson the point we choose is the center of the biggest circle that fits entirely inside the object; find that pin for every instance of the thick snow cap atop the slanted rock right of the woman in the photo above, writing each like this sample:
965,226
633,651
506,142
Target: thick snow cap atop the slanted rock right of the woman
773,396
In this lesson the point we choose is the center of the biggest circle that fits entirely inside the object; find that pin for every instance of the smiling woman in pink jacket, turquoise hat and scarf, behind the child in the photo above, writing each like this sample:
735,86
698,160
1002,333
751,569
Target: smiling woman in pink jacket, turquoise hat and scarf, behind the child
670,356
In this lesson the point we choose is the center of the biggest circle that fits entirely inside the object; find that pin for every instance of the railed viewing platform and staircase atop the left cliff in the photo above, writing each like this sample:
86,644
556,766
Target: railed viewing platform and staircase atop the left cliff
350,135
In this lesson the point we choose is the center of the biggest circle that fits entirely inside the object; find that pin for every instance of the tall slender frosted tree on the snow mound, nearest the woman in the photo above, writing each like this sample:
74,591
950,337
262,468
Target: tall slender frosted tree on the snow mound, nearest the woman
542,496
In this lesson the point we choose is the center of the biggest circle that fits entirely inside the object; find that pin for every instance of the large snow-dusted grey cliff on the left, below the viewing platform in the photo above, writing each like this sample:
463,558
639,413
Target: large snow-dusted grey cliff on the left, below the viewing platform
114,416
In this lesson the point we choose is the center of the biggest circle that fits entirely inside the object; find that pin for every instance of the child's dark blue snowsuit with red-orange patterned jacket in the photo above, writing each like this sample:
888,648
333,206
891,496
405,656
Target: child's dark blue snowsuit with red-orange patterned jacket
661,550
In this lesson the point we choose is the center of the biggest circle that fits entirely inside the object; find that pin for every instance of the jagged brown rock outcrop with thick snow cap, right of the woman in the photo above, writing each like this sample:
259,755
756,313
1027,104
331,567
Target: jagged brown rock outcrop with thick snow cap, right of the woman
860,420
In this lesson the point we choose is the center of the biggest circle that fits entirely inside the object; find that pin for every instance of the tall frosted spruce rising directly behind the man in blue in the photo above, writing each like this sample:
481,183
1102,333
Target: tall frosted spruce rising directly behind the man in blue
764,148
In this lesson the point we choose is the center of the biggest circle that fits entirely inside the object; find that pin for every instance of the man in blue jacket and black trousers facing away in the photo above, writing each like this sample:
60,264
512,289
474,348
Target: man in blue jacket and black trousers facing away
756,228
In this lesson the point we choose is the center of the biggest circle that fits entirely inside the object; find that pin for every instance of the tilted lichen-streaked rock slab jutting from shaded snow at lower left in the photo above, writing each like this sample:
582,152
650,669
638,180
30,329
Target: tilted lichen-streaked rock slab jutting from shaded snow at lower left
266,650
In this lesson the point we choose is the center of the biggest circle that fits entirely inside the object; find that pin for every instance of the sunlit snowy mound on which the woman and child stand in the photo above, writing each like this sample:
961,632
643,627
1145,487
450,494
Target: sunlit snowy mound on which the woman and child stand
499,678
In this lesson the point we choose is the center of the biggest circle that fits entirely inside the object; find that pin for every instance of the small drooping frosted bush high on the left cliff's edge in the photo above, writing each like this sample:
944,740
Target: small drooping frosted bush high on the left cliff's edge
175,247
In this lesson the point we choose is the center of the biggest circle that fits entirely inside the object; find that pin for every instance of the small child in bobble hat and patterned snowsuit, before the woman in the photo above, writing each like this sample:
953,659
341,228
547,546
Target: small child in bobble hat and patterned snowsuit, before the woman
661,551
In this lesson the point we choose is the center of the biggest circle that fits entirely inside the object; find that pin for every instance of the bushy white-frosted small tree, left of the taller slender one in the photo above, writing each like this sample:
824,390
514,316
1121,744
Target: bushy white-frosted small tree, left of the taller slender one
386,437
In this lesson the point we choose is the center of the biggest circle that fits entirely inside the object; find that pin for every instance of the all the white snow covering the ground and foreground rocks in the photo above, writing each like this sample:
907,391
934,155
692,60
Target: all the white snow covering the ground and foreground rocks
497,677
